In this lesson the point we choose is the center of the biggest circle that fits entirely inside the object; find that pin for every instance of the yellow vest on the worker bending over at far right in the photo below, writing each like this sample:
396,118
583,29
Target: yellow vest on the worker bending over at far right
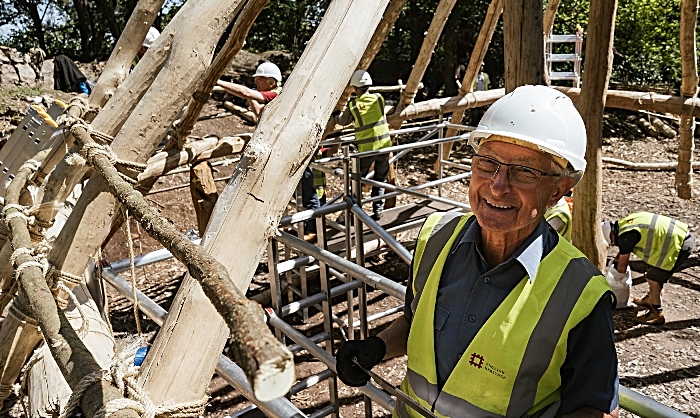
662,238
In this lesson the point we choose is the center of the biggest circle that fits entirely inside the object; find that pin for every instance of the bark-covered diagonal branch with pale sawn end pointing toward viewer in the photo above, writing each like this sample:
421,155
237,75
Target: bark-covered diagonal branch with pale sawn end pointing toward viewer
259,354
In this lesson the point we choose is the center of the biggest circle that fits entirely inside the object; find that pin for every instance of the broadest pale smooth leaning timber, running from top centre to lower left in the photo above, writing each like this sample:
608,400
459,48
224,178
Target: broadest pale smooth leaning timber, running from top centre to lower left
250,206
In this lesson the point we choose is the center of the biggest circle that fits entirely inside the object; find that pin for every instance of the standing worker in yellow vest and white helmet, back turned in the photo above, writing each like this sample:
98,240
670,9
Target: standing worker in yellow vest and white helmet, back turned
371,132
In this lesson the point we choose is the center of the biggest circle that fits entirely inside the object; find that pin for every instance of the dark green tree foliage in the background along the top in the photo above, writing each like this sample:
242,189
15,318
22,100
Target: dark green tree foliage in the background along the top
646,50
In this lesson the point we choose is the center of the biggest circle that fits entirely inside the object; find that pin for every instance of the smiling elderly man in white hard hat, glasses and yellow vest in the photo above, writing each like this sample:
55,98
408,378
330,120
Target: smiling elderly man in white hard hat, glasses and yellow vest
503,317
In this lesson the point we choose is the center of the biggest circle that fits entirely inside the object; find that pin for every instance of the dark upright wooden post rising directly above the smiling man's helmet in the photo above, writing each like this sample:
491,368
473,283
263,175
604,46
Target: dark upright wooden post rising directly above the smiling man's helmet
522,39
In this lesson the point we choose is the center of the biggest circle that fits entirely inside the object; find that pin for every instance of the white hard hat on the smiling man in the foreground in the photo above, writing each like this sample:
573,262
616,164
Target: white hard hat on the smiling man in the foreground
540,116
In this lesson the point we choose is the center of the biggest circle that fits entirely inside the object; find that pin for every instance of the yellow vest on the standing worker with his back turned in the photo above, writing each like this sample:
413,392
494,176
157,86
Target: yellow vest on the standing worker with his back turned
371,127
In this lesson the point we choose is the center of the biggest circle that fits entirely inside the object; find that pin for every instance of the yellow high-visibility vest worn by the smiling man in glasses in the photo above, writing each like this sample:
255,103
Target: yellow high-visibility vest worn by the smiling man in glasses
520,376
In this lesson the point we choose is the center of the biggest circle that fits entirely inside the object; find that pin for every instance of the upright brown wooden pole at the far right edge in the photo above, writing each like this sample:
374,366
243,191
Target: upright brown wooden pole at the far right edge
689,86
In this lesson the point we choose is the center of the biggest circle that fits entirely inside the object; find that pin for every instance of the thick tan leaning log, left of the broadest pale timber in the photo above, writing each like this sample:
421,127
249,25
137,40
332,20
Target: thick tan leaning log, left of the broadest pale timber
191,50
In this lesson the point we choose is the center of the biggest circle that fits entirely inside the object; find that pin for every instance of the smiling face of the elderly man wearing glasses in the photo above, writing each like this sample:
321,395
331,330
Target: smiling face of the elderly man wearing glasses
502,207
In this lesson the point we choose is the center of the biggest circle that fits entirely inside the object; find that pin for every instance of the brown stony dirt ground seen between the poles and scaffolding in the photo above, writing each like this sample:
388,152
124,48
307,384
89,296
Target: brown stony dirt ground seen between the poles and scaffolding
661,362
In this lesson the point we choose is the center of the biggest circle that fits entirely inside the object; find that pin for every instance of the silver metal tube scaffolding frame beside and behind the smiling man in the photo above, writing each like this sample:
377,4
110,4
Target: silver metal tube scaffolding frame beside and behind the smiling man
340,275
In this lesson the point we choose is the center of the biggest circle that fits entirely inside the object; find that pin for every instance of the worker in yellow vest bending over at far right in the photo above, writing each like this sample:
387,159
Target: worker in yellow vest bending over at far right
661,242
